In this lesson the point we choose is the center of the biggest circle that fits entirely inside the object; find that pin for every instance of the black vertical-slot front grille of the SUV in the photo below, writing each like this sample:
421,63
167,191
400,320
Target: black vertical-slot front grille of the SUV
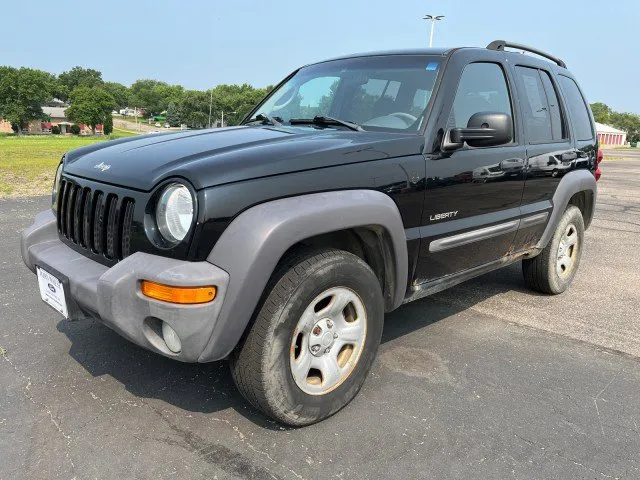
95,220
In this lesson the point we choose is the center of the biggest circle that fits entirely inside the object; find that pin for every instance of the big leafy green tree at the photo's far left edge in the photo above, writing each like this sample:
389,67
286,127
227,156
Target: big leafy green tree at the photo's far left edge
22,93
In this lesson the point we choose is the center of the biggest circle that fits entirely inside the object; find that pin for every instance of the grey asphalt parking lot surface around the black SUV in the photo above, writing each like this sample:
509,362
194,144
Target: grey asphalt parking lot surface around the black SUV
483,381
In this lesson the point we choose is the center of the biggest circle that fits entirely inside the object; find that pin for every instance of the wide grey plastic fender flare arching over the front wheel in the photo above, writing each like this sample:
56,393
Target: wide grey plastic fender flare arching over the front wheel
252,245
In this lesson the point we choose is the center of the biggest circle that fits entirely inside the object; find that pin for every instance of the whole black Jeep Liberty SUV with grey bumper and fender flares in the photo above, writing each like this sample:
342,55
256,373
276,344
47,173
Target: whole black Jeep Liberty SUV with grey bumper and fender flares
358,184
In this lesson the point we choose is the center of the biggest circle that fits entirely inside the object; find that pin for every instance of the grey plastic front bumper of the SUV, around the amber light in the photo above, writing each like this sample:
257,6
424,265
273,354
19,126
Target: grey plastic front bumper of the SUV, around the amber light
112,295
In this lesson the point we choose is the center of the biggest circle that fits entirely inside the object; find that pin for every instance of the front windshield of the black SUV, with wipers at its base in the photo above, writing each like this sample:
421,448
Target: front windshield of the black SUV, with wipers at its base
388,93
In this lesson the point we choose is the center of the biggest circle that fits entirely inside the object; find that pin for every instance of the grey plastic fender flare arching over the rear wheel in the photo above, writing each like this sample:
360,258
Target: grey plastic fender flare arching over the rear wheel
571,183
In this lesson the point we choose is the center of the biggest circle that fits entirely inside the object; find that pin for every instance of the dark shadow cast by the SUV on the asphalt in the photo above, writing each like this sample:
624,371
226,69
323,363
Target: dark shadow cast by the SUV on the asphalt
209,388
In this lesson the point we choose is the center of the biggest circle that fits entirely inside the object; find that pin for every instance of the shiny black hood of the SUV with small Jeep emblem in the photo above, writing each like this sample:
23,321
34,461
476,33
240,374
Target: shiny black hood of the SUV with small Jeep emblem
213,157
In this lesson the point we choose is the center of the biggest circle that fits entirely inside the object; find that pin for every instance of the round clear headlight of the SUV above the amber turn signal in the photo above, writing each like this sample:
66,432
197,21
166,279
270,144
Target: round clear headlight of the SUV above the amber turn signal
174,212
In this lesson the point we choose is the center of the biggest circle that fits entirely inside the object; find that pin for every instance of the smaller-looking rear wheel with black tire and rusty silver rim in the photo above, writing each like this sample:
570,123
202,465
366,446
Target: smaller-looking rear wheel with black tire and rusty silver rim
554,268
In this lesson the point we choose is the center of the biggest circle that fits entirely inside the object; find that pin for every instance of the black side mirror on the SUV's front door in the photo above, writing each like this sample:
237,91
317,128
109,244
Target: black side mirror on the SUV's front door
484,129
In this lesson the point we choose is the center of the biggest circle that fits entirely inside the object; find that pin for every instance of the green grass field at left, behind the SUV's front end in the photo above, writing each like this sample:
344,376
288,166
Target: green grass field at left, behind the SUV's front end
28,163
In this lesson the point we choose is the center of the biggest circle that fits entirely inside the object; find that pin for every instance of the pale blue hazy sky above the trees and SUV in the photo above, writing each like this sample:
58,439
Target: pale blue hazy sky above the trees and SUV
200,44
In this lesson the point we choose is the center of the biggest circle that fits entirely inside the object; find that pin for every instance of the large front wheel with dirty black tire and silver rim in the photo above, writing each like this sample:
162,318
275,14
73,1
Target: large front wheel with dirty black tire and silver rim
314,337
